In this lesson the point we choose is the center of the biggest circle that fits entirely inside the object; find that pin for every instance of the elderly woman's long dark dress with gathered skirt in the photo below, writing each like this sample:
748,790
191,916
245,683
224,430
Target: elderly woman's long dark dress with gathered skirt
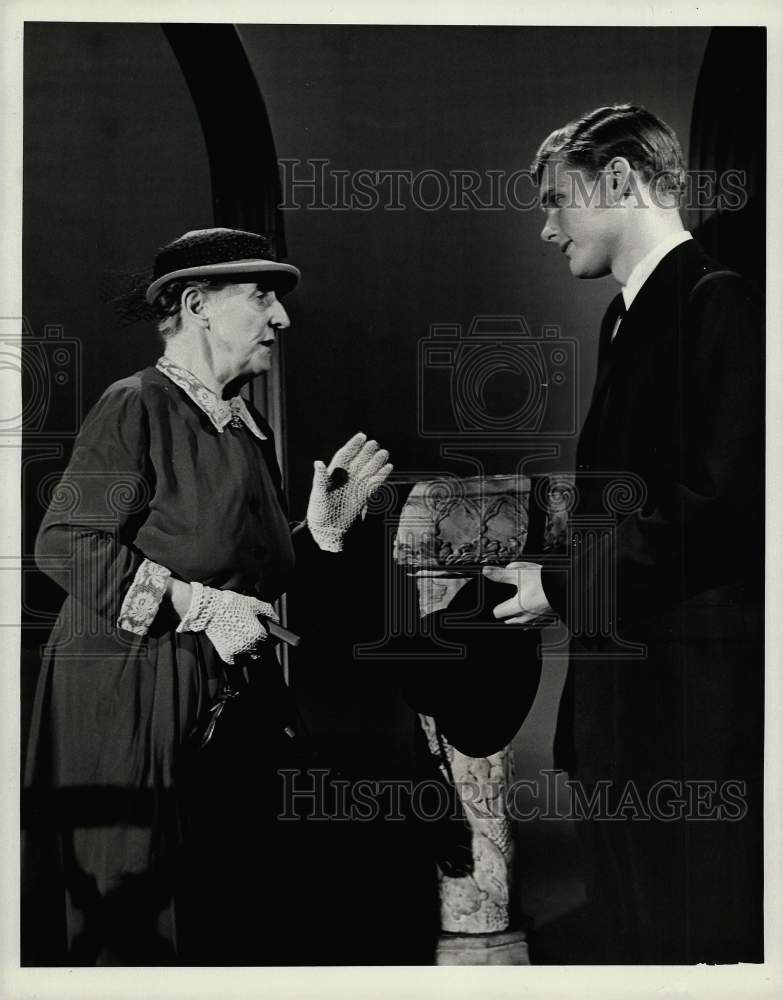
110,847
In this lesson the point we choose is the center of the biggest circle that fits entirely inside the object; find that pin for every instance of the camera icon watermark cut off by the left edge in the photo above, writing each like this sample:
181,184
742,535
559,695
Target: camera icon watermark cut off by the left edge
41,381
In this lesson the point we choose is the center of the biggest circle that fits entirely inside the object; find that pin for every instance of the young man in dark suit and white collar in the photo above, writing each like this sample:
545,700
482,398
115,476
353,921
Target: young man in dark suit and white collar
664,702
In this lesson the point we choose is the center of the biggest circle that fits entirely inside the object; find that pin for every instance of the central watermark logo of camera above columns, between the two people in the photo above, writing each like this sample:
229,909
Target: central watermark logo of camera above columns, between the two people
498,385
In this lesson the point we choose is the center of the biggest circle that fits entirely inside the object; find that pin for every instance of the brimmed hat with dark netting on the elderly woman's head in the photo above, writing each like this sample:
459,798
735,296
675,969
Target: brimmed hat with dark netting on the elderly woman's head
207,253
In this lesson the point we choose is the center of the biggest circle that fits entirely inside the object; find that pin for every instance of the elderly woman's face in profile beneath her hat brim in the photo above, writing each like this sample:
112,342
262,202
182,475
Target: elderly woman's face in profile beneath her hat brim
244,320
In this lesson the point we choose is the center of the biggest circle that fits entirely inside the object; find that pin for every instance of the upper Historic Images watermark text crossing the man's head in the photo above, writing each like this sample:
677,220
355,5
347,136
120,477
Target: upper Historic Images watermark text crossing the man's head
315,184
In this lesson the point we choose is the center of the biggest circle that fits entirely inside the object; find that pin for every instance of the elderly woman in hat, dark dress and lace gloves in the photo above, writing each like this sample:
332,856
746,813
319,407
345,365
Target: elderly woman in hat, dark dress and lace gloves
162,717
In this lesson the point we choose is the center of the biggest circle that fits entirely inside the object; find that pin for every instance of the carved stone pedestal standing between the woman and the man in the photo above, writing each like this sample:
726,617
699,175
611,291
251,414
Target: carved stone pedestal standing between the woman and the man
448,530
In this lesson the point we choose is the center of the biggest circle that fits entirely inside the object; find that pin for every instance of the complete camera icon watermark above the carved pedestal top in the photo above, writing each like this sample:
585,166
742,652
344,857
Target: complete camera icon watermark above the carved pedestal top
497,380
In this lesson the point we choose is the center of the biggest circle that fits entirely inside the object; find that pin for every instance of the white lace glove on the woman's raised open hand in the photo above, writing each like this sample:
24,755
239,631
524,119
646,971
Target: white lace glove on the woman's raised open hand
341,489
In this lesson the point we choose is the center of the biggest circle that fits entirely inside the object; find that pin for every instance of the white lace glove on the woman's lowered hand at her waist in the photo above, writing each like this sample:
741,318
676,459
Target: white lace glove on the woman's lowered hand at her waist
229,620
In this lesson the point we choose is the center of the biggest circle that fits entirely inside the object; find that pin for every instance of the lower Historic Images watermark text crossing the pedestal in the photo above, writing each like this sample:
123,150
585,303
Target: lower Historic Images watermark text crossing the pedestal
315,795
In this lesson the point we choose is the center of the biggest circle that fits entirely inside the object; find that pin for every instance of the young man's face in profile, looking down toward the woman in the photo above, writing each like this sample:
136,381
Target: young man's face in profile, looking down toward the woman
581,219
